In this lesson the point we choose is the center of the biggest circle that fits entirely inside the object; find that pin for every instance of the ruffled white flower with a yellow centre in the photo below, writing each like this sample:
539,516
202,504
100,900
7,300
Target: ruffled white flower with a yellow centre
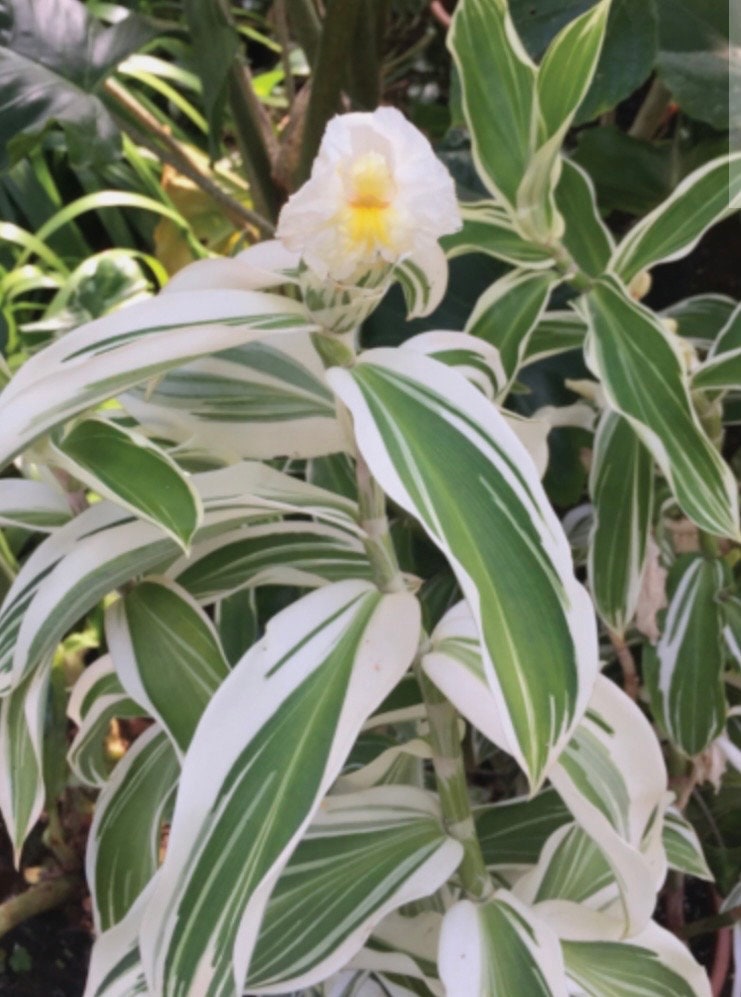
377,193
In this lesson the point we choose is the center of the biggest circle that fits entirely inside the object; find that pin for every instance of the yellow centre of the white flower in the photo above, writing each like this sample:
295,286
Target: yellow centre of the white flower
370,190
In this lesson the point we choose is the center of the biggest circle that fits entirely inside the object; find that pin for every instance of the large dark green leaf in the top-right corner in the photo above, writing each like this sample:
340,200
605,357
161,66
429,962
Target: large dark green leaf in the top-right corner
698,59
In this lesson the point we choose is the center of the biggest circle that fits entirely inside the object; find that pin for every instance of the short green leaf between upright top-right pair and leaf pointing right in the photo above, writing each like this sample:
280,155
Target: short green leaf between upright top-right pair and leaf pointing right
585,236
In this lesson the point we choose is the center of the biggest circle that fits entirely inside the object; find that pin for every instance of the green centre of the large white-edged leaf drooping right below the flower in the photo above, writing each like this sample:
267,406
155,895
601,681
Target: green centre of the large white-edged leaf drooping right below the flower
445,446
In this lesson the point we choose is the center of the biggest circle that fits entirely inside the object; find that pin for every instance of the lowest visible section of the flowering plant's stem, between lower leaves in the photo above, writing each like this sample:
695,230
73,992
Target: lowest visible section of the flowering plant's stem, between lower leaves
447,759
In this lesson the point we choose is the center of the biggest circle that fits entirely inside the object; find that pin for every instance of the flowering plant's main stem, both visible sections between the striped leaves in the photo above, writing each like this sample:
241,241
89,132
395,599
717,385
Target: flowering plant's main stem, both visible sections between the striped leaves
447,751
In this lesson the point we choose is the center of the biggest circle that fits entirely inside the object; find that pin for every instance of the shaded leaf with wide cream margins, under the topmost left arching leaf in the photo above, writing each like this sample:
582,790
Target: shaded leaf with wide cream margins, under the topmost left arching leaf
261,400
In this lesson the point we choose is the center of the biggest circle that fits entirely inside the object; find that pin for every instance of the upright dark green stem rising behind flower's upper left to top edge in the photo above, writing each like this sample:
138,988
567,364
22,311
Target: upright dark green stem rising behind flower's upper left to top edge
332,58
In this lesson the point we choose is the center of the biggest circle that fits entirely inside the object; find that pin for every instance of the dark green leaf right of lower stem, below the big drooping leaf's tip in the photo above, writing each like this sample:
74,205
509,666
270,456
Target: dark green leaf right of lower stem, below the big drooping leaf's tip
513,832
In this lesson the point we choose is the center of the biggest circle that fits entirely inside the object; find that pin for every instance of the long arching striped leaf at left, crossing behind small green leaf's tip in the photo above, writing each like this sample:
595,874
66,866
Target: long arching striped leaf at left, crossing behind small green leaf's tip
104,547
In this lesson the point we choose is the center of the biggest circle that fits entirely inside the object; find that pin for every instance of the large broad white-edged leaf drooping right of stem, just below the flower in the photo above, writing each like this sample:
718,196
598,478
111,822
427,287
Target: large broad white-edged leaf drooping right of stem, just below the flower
444,453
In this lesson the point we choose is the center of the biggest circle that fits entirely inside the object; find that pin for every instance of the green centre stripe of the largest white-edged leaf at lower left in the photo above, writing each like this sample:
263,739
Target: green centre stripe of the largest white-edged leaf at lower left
260,804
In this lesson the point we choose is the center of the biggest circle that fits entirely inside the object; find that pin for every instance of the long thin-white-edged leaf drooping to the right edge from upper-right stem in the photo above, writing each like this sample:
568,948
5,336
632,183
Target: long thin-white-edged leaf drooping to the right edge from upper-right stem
641,373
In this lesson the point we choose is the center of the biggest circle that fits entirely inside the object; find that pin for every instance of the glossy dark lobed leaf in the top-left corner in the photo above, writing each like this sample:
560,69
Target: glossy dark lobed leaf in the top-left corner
54,56
